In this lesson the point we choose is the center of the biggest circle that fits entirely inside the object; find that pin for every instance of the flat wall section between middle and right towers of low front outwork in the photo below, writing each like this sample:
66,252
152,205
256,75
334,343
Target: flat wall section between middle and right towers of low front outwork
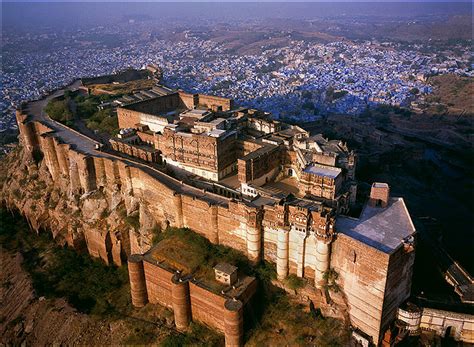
207,306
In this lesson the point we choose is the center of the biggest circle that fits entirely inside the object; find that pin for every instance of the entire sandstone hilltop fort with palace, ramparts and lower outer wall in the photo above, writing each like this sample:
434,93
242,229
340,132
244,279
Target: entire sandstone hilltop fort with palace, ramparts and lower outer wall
236,177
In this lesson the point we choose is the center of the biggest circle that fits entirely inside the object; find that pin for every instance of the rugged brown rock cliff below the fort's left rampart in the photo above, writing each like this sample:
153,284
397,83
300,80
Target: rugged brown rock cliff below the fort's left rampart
106,221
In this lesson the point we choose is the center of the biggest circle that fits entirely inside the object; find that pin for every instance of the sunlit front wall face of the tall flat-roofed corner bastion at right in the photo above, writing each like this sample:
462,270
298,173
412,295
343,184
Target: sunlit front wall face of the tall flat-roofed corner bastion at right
362,273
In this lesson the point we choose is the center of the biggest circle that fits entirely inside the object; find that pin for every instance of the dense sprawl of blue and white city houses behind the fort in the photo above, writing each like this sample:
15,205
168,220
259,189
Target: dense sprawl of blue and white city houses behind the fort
290,81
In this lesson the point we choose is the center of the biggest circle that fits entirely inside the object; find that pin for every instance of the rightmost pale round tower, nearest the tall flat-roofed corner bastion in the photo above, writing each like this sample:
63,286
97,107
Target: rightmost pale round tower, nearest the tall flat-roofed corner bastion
324,237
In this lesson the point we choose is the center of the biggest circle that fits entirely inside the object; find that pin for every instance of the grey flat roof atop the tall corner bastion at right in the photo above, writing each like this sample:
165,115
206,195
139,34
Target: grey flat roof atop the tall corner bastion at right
381,228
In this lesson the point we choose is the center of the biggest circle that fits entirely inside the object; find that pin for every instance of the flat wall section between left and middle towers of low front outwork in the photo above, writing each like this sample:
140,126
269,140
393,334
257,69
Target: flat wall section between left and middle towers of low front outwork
158,284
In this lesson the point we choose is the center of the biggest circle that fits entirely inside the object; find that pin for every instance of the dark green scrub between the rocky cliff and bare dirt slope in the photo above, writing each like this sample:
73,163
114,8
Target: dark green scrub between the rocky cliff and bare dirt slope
89,285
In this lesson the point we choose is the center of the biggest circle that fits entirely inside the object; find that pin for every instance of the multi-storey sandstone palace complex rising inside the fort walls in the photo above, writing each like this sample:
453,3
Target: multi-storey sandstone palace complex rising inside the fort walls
207,137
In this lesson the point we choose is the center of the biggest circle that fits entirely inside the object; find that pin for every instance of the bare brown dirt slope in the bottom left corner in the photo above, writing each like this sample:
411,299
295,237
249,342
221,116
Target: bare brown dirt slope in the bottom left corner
31,320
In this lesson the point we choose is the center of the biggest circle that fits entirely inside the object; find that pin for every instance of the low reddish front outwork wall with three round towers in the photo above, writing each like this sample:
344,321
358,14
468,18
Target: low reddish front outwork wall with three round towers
190,300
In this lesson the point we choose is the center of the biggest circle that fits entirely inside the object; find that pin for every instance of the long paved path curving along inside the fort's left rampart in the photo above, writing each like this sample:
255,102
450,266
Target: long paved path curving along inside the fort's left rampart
87,145
